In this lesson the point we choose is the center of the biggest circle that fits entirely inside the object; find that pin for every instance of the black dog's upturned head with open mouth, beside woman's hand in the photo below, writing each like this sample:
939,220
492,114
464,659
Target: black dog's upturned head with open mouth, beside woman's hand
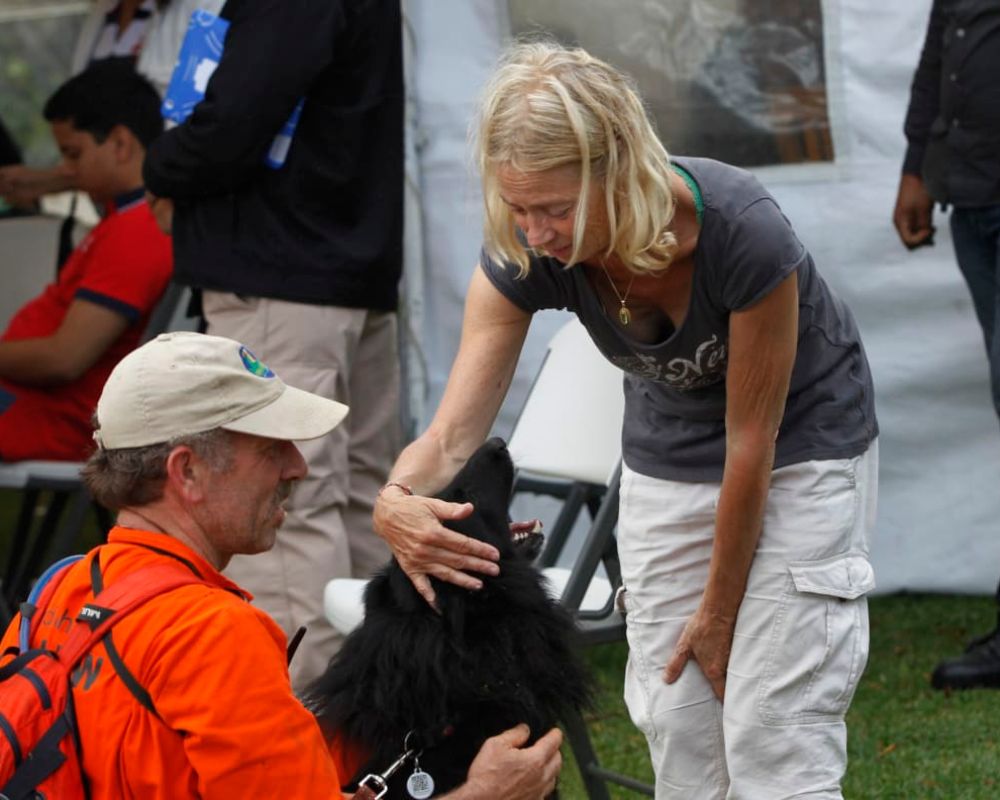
486,481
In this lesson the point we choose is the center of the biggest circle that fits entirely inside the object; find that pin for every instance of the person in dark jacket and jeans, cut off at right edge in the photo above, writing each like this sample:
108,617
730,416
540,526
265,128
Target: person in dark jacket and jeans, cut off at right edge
953,158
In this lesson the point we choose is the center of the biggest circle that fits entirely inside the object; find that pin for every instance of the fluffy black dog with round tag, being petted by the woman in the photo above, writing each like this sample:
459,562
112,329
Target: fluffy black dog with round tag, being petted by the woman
442,683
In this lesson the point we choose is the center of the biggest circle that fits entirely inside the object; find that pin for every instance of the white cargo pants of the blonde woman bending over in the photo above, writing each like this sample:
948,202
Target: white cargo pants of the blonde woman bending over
801,638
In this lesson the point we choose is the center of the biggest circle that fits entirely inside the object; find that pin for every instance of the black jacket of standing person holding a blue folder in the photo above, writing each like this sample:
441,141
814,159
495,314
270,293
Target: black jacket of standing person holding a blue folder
326,228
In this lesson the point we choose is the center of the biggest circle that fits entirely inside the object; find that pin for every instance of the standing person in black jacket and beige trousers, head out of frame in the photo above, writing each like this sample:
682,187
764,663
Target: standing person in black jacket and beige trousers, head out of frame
302,262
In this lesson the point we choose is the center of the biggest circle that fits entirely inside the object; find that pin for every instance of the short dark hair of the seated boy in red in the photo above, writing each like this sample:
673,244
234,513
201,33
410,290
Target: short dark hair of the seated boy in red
109,92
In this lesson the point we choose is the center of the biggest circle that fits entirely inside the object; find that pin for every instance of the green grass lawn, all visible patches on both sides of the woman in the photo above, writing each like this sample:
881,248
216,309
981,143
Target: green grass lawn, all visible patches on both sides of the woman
906,741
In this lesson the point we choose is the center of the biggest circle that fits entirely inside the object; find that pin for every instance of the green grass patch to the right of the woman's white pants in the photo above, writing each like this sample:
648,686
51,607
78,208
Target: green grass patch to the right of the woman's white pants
905,739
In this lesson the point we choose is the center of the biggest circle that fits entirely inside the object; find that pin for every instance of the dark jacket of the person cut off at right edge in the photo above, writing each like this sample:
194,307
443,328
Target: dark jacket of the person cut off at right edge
953,122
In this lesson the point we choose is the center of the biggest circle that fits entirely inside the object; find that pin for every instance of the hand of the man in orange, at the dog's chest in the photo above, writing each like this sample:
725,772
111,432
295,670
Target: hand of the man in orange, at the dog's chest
506,769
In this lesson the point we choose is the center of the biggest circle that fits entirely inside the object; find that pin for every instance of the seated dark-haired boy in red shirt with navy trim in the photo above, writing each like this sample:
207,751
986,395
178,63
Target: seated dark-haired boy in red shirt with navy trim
59,348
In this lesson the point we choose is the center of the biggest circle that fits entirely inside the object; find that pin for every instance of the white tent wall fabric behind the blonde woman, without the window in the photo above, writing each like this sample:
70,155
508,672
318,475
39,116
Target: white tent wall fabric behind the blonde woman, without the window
939,509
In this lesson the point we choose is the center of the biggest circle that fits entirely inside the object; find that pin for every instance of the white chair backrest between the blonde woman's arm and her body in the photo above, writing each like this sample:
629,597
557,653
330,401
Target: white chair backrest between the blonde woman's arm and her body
571,422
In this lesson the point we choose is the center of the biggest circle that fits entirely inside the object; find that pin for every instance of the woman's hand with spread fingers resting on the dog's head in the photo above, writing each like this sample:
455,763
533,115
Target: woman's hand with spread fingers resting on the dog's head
425,548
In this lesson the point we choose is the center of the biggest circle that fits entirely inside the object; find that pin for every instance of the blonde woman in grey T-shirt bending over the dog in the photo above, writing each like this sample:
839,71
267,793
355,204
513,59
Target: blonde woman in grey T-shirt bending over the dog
748,486
